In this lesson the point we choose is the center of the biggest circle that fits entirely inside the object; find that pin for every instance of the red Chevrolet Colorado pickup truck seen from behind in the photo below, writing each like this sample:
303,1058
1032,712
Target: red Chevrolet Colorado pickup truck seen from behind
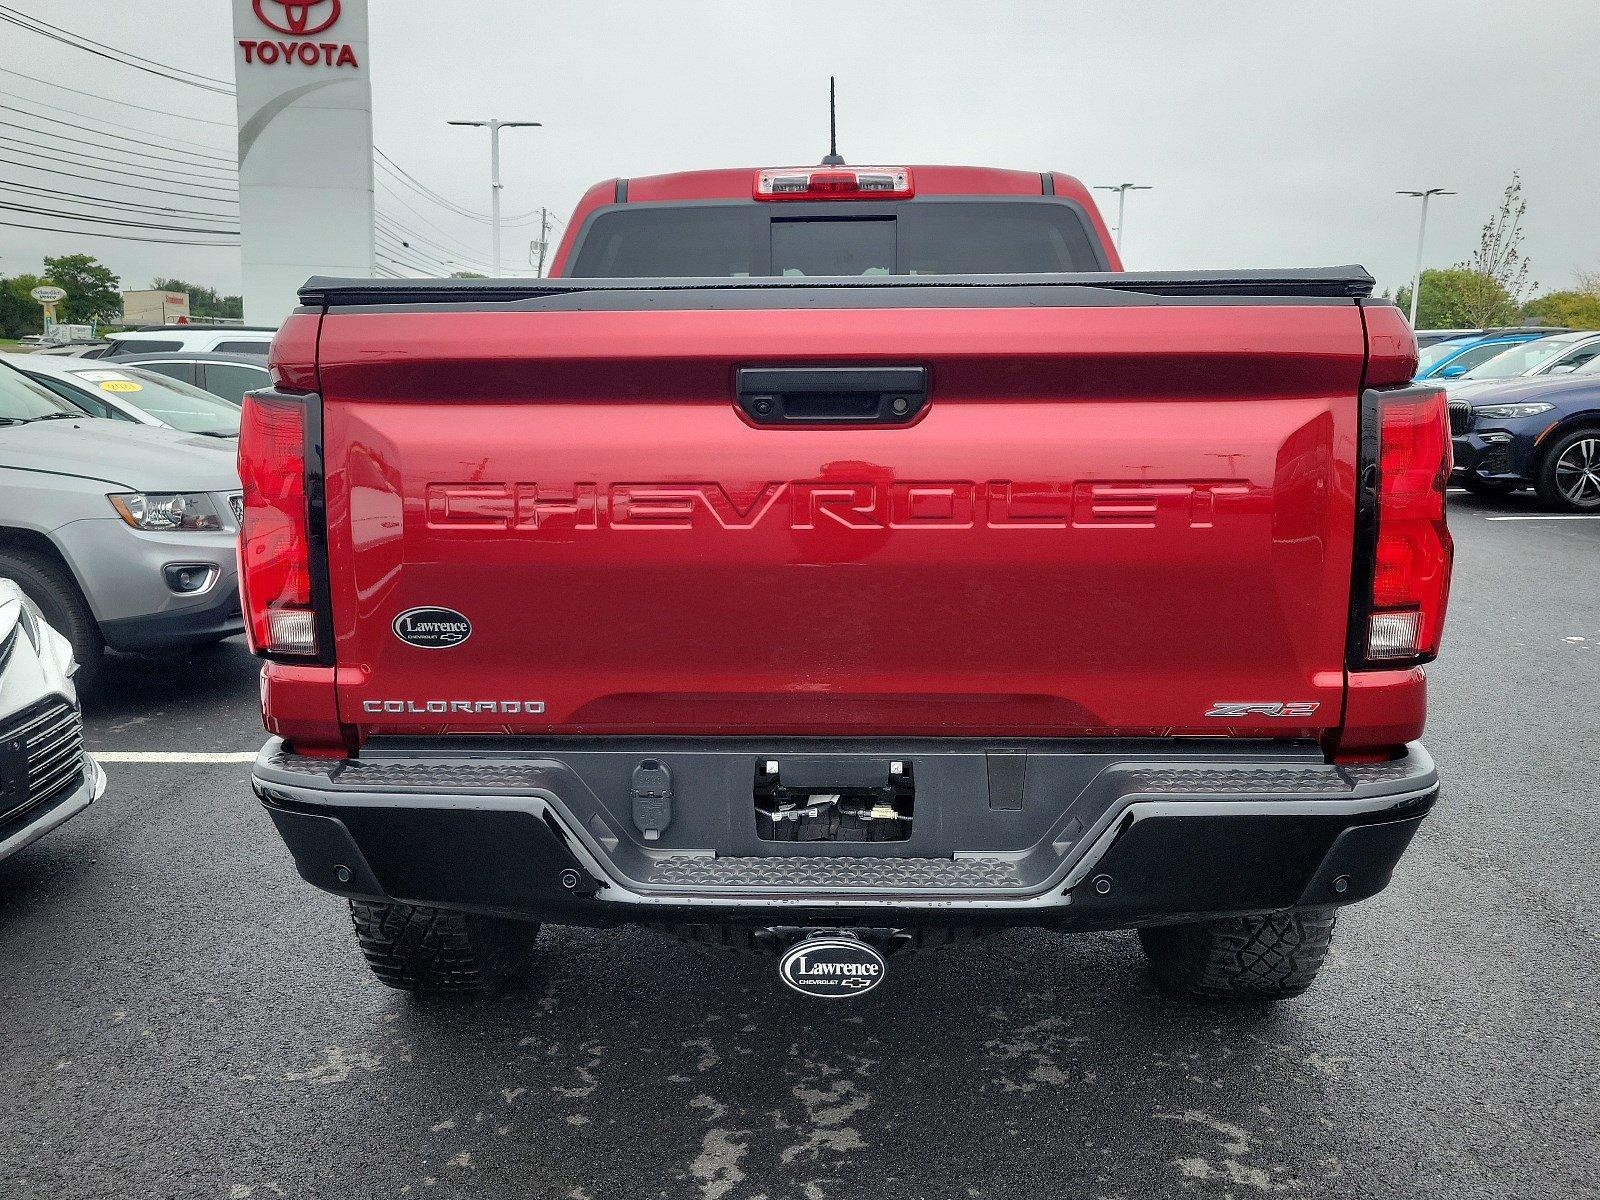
831,561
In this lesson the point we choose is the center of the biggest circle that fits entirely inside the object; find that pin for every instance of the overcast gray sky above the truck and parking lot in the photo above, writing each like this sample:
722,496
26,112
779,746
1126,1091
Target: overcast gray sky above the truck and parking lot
1274,134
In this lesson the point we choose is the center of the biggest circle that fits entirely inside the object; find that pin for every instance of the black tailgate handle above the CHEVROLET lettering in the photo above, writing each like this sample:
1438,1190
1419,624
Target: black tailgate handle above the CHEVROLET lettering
833,396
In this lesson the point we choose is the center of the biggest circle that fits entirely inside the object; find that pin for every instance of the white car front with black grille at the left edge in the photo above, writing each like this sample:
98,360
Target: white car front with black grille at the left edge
46,775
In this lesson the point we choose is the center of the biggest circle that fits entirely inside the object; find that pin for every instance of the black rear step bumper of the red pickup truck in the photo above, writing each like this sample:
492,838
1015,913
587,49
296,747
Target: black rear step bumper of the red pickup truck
1098,838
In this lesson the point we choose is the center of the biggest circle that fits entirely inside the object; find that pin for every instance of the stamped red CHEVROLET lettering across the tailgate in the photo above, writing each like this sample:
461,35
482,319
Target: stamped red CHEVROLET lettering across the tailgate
807,505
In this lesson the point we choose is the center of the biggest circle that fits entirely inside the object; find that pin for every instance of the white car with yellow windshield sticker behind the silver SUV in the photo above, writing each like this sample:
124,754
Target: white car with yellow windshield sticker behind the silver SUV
130,394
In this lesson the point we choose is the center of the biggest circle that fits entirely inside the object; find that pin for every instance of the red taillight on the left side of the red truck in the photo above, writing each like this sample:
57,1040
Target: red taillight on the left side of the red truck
274,542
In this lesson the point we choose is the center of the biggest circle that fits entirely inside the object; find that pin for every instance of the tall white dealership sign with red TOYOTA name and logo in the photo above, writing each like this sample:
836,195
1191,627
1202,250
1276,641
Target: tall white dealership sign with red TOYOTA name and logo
305,146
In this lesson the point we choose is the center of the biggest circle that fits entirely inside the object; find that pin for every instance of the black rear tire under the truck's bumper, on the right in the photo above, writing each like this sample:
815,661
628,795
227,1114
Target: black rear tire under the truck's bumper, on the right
1242,958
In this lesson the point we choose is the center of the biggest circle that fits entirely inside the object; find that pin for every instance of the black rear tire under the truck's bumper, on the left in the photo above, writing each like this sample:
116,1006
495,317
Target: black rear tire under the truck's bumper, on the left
420,950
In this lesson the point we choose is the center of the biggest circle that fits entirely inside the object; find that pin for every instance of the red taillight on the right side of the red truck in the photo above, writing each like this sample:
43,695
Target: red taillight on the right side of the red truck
1414,551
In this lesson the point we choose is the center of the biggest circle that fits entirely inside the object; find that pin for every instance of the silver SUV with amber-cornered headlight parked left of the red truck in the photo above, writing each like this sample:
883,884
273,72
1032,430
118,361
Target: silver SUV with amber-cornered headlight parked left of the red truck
124,535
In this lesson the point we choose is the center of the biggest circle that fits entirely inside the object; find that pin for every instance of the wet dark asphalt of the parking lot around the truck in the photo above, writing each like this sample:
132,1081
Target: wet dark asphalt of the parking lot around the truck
182,1017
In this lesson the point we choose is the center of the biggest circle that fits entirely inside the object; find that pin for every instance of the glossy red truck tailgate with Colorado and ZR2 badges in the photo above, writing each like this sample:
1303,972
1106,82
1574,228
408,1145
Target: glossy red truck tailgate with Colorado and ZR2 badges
1111,519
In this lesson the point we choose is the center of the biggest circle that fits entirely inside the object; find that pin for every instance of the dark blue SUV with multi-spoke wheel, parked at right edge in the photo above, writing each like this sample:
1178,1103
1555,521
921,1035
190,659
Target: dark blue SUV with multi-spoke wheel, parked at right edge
1540,433
